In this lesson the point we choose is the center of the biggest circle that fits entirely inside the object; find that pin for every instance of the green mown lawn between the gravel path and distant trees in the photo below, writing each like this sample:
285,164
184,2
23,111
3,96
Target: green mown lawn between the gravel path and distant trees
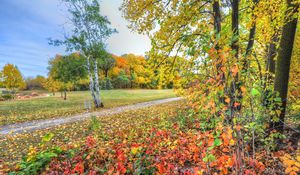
53,106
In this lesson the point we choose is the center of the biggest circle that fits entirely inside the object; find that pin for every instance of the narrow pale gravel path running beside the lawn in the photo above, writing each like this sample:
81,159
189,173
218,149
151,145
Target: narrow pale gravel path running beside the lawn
42,124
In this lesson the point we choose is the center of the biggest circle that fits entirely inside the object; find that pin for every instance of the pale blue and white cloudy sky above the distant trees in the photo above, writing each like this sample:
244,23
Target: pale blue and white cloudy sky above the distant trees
26,25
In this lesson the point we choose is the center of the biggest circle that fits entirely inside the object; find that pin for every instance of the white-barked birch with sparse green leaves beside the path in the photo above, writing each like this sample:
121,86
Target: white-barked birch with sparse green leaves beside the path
88,35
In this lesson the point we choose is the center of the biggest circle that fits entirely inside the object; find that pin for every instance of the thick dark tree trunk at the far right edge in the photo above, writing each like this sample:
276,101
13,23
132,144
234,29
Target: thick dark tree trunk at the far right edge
283,63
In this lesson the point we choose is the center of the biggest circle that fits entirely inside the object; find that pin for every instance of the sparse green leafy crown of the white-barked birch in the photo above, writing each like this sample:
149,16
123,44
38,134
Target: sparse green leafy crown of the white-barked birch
87,22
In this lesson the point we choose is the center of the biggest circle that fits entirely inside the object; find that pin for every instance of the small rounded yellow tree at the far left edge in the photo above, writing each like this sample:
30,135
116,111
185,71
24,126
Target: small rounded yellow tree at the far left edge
12,77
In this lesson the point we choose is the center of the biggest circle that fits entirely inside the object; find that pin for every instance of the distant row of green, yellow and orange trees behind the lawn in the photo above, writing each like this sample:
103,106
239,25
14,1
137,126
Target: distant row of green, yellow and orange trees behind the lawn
68,73
